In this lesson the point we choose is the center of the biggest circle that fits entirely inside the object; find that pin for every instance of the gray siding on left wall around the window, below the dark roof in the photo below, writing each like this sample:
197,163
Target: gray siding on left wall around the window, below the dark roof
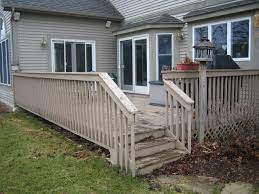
32,28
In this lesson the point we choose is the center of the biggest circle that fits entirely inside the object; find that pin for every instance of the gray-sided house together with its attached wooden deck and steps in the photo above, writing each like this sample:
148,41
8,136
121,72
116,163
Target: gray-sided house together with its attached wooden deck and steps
133,40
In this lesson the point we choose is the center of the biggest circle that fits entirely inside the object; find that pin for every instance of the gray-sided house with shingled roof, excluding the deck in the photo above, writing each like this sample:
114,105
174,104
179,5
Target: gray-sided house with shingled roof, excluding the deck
134,39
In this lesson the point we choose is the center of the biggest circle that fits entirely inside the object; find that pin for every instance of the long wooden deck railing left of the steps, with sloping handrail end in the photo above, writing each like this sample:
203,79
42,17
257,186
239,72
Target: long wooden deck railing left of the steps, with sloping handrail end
88,104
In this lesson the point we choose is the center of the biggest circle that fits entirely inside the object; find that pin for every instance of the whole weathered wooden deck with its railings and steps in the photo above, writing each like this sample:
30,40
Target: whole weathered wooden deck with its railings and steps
92,106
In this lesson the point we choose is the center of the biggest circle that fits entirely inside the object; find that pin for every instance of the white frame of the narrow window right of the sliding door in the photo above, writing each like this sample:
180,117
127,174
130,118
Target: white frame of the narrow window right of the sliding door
157,51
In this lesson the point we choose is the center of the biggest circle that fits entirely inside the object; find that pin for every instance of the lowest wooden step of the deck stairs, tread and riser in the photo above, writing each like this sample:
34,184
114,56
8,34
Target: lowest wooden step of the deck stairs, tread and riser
149,163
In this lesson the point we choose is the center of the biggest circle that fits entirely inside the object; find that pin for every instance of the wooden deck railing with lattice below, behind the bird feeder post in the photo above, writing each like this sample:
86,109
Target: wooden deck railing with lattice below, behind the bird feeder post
232,96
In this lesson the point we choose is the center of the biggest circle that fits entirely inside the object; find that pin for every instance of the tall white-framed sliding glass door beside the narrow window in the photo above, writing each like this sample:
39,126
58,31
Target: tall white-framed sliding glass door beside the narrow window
134,64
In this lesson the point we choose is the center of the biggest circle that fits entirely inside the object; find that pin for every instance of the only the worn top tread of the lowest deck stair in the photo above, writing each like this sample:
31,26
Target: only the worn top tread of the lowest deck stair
160,157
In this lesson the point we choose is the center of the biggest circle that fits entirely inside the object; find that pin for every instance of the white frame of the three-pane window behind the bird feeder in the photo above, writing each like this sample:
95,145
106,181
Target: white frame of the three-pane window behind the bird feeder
229,38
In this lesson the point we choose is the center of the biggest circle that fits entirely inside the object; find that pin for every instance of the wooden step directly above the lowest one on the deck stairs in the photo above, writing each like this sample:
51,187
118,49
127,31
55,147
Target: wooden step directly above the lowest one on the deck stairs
154,145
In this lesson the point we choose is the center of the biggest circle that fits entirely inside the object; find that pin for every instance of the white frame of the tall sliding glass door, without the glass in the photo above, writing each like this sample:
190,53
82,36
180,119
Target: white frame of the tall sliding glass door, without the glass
136,89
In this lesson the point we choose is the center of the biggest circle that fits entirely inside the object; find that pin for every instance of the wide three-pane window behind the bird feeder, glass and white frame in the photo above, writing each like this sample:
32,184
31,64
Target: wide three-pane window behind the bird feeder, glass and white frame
230,37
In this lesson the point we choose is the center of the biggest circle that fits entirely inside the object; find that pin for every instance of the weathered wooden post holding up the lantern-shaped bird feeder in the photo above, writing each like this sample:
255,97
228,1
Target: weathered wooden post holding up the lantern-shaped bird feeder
203,99
